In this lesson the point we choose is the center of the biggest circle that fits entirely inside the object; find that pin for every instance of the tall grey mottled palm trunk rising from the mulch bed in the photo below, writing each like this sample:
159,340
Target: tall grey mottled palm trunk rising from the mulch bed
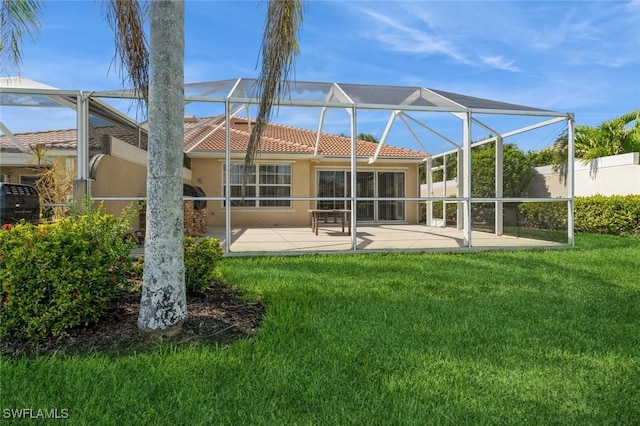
163,306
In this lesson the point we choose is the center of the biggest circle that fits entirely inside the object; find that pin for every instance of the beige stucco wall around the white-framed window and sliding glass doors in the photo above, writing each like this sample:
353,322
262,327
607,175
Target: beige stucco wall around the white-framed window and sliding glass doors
207,173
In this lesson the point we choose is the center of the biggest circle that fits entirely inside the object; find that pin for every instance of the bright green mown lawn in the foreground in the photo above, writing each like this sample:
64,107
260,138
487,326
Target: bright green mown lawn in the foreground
524,337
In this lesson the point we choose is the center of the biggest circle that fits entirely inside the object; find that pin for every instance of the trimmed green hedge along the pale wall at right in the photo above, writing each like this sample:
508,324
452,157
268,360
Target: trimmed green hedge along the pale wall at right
616,215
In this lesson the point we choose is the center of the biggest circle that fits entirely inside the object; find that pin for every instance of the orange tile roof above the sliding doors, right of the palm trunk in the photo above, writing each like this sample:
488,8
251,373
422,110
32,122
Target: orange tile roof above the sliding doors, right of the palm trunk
208,136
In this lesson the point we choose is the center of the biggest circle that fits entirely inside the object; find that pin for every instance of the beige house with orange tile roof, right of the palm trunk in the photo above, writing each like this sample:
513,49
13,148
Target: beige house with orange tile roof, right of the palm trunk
289,170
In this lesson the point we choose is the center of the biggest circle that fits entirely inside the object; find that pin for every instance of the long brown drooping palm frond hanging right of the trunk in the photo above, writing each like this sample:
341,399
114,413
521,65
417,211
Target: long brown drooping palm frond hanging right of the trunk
279,49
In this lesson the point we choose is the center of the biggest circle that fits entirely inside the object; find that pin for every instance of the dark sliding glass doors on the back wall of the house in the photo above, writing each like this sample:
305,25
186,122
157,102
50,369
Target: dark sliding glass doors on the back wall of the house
335,184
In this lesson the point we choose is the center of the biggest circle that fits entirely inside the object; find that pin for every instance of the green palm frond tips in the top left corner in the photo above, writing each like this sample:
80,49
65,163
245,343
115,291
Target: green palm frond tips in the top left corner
17,18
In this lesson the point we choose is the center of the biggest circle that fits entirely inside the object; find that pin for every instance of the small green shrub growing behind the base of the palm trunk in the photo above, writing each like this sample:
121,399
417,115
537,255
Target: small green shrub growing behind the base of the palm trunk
201,259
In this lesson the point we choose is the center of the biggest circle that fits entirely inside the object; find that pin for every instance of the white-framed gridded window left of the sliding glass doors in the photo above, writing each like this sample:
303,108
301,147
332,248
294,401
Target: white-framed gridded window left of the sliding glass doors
272,181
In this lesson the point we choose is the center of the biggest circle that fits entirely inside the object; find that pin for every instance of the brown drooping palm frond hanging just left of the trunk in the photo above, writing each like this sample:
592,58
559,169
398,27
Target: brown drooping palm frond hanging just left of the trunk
126,18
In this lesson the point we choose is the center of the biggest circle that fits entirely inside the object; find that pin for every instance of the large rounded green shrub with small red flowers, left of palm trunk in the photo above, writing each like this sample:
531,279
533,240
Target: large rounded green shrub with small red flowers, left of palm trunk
61,275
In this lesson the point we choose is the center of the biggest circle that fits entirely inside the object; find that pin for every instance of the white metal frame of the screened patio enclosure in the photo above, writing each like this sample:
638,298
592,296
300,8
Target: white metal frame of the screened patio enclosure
238,94
